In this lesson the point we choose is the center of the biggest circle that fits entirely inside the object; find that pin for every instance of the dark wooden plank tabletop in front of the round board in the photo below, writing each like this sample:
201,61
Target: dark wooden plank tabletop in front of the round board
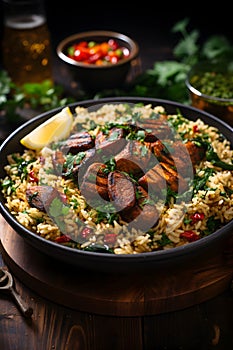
207,326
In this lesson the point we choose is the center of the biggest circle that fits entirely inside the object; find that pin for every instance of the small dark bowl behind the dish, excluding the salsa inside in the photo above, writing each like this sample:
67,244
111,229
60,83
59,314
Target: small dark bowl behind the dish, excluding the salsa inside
97,77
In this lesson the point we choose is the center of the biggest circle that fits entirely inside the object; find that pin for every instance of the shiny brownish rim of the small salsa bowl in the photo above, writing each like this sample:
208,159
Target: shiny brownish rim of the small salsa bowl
134,51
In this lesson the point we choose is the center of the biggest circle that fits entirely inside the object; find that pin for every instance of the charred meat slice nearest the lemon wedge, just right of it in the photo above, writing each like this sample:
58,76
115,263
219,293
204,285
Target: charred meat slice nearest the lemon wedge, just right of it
81,141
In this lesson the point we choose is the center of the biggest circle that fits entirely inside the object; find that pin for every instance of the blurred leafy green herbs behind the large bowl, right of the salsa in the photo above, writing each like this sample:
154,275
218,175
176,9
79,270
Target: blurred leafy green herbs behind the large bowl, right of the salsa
167,78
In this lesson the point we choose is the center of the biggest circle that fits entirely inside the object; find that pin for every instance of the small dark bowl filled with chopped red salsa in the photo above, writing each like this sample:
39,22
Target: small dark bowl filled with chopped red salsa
99,59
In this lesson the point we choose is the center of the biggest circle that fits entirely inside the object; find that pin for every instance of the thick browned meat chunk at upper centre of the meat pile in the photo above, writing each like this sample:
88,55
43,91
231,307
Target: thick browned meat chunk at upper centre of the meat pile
133,159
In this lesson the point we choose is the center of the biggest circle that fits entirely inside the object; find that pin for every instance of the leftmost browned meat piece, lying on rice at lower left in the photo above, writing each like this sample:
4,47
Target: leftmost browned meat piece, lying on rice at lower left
40,197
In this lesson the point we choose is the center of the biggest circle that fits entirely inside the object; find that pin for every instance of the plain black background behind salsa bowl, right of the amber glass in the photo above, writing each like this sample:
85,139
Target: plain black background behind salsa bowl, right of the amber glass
150,24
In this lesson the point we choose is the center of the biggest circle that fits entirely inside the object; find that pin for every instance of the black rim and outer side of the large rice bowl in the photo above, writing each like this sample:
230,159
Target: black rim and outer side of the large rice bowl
101,261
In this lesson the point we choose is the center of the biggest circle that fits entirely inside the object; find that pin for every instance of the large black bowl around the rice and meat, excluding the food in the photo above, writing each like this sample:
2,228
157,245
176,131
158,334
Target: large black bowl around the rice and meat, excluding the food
109,262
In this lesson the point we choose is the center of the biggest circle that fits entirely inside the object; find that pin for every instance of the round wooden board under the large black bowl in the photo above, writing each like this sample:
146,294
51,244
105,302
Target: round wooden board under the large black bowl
119,294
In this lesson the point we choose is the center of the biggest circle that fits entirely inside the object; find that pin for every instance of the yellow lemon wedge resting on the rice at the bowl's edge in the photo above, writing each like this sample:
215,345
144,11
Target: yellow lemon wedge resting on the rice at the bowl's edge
54,129
